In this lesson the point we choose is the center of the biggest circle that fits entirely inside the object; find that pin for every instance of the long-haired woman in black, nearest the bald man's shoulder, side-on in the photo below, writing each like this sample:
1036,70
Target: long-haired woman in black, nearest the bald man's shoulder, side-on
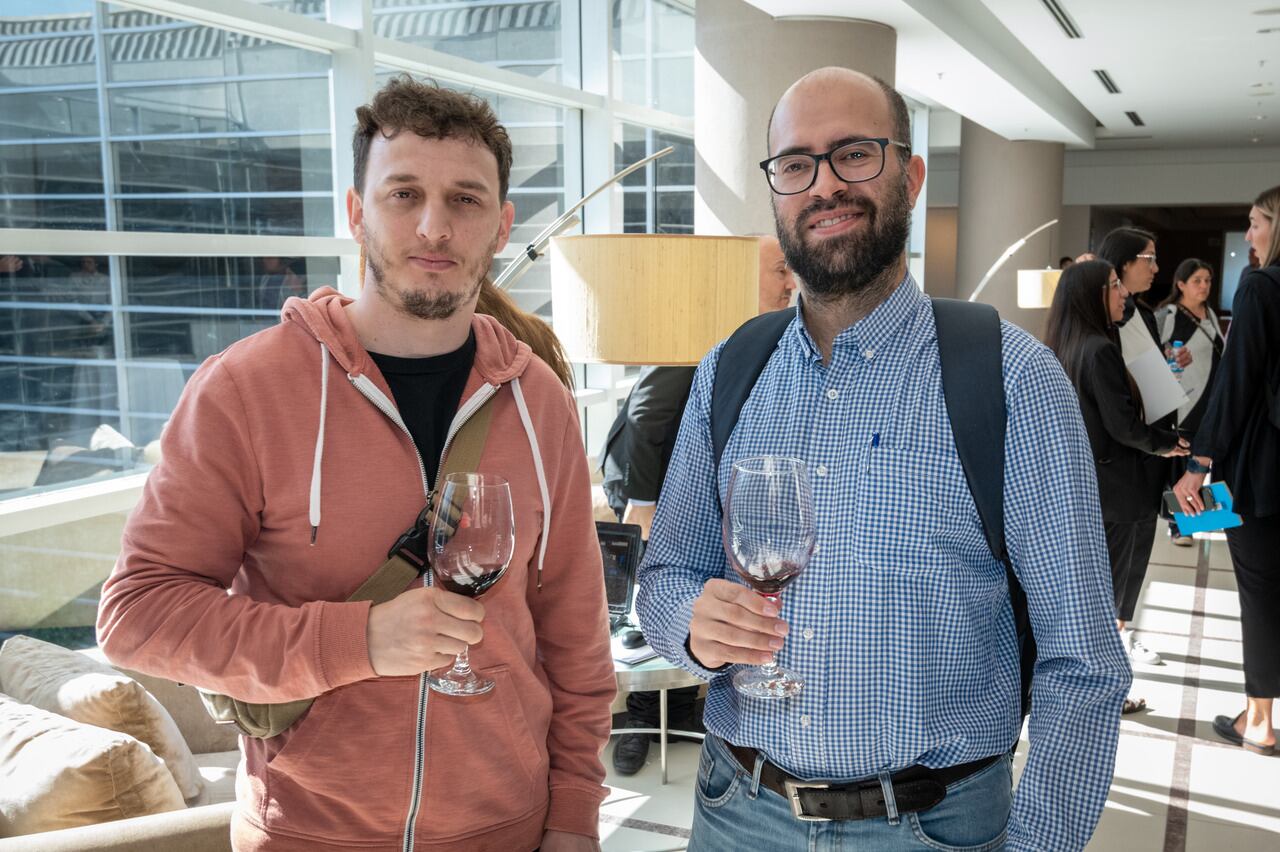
1082,333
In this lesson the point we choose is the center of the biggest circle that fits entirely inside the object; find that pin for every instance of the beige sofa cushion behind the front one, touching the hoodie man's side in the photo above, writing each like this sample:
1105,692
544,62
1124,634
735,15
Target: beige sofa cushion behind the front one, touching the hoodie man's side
71,685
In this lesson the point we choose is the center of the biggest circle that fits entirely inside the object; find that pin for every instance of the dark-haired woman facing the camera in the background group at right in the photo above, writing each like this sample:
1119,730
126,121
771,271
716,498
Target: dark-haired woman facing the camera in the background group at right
1187,317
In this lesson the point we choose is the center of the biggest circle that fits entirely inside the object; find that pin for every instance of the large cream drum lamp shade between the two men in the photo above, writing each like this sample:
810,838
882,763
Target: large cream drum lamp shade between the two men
651,299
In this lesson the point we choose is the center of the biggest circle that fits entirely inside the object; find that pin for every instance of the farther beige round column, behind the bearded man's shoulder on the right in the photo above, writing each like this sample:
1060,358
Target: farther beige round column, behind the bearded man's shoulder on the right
1007,191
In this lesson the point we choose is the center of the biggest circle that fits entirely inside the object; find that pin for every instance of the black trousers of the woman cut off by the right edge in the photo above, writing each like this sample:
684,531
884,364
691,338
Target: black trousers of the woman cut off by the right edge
1255,552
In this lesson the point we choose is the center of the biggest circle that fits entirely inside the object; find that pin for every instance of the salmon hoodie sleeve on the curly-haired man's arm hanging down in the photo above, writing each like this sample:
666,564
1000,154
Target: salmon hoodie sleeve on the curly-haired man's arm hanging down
573,630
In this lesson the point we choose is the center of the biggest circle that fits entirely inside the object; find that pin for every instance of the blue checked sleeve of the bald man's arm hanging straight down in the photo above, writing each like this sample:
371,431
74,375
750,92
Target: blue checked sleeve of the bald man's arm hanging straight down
1082,674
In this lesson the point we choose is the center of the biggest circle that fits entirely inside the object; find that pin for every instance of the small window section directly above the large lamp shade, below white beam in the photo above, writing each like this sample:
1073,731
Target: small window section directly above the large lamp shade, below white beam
659,199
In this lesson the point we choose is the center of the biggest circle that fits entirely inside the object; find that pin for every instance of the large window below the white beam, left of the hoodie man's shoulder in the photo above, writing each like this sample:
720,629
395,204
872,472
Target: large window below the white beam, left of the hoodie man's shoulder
67,351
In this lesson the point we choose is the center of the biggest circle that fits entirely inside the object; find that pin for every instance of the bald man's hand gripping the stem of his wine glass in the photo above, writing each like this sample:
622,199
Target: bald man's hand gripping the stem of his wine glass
734,625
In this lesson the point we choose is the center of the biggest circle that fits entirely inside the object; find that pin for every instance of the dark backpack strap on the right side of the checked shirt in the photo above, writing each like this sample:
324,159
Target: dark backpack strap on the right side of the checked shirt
973,384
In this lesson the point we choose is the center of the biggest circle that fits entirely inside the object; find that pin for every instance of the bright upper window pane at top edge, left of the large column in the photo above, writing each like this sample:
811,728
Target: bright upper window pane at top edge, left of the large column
653,54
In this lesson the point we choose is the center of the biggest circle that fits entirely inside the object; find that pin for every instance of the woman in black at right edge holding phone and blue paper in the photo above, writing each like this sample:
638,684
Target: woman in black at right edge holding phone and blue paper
1240,437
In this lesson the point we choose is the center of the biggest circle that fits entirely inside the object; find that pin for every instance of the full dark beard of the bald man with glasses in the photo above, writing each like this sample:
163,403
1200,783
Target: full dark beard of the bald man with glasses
854,262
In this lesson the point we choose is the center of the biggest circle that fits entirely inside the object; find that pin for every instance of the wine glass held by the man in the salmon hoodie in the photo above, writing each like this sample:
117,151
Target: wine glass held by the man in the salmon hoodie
472,538
